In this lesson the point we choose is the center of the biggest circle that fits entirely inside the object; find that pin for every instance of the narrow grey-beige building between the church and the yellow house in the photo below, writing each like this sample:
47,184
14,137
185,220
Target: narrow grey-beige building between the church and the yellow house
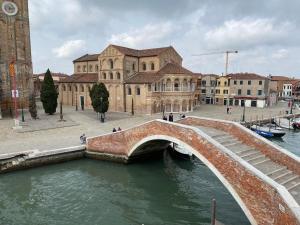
208,88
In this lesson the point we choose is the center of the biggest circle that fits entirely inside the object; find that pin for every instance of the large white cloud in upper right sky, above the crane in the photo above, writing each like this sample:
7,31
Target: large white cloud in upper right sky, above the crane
247,33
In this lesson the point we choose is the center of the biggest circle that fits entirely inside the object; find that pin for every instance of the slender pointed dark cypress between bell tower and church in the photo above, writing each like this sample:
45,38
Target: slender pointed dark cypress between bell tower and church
49,94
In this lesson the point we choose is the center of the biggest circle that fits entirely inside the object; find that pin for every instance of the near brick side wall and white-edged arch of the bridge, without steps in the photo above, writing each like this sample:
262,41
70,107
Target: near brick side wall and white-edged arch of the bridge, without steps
262,200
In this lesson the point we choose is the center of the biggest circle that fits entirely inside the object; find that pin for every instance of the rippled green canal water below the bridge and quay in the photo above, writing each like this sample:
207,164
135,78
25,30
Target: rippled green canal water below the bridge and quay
161,191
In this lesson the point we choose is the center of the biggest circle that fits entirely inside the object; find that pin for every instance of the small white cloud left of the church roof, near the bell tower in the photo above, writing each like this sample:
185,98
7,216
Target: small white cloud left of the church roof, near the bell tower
70,49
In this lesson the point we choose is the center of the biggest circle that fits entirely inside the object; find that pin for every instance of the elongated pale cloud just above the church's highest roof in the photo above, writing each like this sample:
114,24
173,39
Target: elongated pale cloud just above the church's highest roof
150,35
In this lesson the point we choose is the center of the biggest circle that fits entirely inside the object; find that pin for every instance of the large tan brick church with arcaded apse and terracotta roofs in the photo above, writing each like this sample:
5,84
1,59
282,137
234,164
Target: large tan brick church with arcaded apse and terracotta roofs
144,81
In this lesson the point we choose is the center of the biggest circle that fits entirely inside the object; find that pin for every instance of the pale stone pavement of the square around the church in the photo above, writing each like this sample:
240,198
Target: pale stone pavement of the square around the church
86,122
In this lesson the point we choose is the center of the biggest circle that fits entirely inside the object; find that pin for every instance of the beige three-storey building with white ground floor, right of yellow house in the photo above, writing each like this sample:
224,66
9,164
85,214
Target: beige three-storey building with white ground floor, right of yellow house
249,89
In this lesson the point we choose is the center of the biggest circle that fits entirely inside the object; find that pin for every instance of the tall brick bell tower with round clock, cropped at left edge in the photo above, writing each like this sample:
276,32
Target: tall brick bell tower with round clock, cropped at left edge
15,48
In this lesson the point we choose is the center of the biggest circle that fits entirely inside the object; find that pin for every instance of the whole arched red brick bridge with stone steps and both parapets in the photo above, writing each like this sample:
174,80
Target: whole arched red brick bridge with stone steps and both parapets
263,178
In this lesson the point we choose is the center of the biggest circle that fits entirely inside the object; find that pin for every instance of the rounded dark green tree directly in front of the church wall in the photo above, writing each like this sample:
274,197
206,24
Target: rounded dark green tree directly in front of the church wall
99,96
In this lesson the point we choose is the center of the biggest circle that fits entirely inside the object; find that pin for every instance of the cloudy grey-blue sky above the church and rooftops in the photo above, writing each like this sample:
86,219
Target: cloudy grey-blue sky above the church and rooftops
266,33
